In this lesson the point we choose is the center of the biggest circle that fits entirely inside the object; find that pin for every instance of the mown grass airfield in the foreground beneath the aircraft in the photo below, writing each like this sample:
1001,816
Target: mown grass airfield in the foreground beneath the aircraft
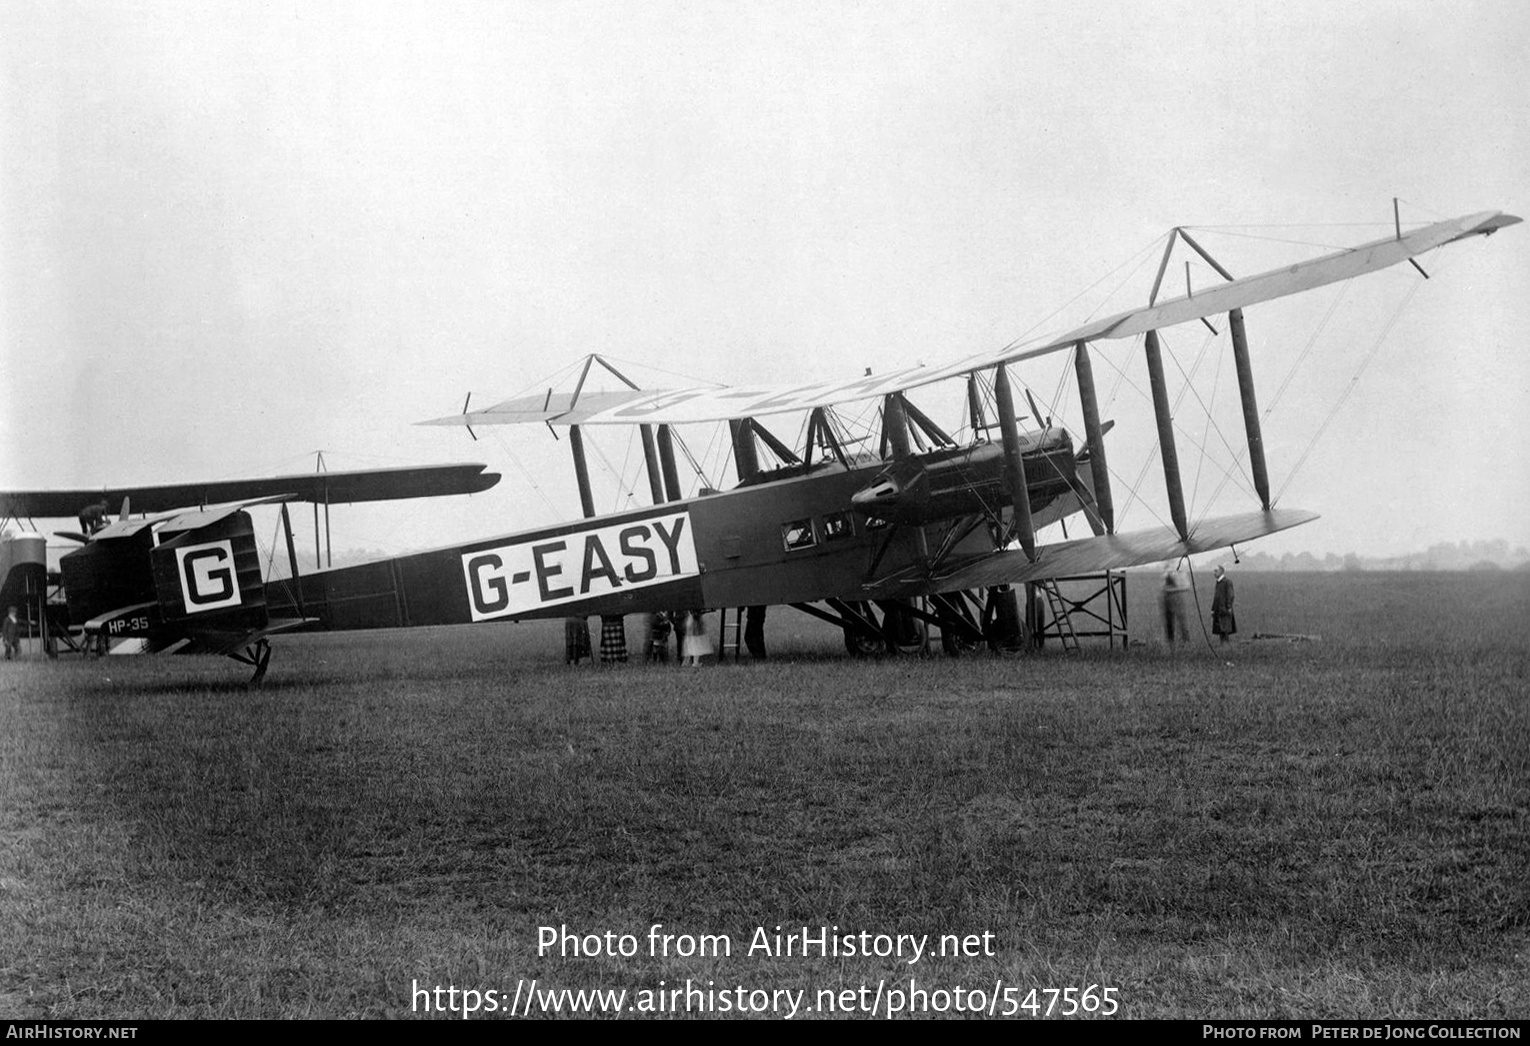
1336,828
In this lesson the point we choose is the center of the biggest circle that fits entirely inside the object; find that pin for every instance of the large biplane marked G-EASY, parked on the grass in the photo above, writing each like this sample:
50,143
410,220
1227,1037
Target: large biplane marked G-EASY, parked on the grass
923,530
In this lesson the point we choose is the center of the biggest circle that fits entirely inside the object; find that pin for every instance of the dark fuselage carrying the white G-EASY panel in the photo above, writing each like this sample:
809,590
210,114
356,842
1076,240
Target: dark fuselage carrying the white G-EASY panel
793,539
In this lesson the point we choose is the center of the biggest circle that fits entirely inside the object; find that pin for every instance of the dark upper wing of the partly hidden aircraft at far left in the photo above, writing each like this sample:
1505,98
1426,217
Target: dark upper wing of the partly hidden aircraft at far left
333,489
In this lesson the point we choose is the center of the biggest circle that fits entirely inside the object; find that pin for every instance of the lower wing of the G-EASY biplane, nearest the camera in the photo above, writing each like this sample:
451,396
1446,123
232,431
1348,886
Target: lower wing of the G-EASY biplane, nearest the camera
1093,556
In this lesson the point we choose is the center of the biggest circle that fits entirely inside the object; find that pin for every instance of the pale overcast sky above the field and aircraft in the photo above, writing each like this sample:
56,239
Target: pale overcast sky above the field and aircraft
235,235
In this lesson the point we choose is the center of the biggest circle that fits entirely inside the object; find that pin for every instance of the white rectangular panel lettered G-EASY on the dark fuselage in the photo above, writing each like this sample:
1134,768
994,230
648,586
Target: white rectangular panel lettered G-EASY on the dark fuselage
535,574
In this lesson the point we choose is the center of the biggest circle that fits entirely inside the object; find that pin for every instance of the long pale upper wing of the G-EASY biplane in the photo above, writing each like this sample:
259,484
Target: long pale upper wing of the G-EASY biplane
706,404
